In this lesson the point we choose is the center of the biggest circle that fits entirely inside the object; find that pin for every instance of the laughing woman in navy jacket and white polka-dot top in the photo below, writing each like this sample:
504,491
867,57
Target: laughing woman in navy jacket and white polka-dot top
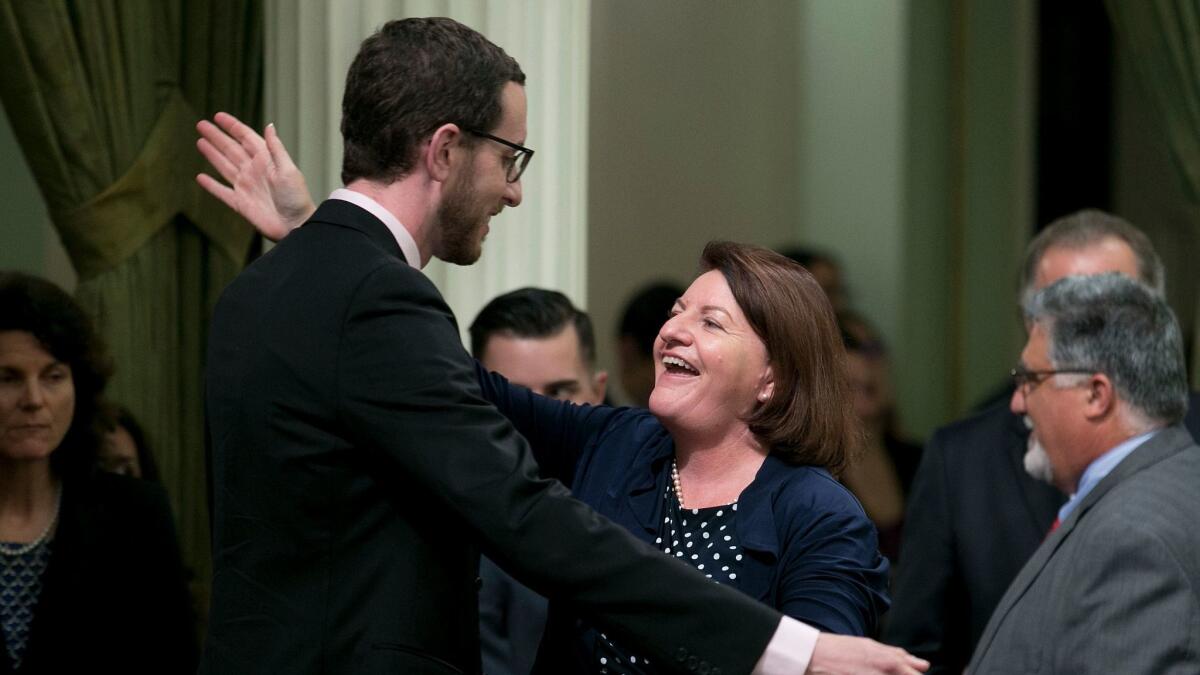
731,468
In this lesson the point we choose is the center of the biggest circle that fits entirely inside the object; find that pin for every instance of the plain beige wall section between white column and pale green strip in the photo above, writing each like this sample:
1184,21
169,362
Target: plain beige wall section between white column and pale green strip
693,136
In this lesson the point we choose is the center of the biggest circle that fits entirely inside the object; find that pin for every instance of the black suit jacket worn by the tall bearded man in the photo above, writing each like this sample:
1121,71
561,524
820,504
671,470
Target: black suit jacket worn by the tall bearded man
357,467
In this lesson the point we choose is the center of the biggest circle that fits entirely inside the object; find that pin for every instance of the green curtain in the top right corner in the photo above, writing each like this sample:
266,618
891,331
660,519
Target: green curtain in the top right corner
1162,40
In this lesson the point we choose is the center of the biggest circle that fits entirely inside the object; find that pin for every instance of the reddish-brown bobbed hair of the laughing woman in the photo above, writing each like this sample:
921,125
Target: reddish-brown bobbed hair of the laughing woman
811,419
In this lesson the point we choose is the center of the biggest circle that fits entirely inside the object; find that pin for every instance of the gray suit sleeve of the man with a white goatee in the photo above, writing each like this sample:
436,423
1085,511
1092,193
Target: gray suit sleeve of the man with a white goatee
1133,611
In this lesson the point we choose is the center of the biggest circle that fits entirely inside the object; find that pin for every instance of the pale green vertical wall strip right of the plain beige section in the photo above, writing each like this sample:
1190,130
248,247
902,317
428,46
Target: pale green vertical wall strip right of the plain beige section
850,147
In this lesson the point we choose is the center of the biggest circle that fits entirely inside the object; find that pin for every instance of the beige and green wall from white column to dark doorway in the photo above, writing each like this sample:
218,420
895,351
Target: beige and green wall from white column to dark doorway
896,135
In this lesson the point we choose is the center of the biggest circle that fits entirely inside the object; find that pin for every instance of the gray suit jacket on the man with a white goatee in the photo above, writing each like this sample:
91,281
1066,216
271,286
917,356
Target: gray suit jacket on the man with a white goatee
1117,589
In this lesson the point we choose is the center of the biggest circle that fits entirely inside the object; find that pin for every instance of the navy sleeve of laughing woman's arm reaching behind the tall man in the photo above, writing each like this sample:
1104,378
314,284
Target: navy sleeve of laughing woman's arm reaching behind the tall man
557,432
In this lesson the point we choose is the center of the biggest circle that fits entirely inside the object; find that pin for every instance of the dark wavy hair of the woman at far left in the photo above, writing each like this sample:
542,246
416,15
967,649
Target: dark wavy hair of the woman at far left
37,307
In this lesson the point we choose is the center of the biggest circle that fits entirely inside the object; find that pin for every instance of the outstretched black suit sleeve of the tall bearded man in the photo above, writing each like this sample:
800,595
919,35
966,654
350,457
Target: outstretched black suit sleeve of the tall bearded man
410,395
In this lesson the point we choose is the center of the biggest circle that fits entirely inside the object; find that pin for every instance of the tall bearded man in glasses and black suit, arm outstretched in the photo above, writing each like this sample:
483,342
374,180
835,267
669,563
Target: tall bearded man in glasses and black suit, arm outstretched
356,465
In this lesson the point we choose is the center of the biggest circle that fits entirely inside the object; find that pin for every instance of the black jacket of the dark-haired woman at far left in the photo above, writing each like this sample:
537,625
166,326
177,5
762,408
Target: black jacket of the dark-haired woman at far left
115,599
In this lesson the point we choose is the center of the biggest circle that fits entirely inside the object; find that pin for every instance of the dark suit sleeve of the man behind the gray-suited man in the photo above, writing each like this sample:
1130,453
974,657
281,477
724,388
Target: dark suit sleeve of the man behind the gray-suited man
928,589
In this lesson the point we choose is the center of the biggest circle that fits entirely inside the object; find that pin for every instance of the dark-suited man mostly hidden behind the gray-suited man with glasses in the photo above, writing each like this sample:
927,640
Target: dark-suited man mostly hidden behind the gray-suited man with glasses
976,516
